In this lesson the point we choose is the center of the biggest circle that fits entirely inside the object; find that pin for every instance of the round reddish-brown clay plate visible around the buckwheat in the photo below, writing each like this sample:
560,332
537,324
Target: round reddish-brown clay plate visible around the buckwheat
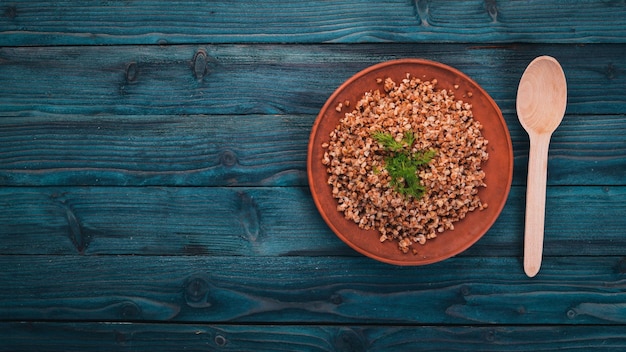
498,169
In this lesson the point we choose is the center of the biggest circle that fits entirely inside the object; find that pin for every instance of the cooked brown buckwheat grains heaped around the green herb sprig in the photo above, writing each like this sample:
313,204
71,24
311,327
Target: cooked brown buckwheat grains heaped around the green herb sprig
362,185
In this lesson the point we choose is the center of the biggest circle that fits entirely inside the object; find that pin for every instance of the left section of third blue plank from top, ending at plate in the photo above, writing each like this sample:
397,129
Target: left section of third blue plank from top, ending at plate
198,150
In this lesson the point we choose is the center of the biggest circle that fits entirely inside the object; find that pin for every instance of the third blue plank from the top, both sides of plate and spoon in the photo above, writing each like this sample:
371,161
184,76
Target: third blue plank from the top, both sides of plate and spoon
246,150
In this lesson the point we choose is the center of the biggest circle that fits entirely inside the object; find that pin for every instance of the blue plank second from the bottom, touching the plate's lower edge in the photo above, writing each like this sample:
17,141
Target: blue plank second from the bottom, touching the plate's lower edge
318,290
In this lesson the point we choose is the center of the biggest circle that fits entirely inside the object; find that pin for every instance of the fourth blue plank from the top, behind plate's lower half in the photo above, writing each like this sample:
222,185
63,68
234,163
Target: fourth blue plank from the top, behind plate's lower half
258,222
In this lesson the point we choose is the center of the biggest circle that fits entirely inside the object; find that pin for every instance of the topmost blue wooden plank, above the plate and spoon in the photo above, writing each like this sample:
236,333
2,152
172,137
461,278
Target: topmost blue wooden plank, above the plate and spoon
278,21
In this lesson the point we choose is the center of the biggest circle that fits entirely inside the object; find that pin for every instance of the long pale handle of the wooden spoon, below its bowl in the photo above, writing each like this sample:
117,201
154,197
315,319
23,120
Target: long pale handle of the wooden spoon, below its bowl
535,202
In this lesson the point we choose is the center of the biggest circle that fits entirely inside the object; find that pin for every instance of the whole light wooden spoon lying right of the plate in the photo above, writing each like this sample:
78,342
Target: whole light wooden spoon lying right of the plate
541,101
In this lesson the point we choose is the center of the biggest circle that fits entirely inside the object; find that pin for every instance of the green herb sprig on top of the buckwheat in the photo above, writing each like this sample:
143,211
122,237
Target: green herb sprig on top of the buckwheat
402,164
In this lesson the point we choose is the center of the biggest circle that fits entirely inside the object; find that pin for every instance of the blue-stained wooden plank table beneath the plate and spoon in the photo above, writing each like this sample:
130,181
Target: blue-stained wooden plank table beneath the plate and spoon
153,190
